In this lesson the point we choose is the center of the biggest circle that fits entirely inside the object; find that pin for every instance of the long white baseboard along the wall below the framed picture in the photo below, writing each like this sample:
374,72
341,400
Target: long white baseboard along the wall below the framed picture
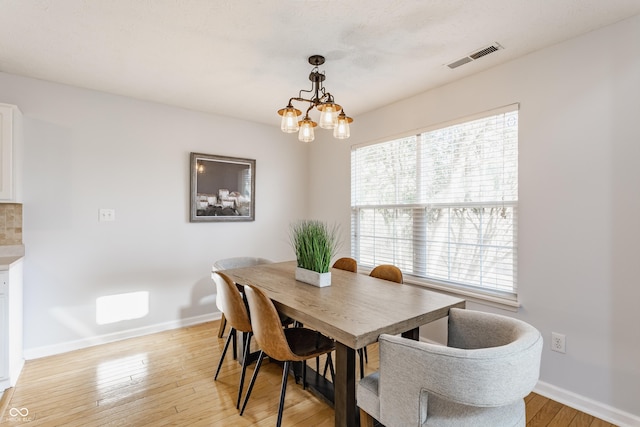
38,352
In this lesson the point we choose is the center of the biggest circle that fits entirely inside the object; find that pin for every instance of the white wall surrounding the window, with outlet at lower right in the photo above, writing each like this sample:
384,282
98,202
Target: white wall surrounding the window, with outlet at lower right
579,201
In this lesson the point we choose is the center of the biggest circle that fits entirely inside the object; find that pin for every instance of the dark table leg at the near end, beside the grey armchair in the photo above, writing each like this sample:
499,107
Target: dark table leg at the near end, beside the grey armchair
345,387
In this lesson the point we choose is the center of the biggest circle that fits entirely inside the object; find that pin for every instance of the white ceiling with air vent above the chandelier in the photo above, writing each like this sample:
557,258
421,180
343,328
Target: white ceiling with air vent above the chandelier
245,59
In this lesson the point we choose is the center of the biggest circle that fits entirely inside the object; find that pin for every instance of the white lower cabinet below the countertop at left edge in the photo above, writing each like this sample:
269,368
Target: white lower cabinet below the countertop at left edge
11,355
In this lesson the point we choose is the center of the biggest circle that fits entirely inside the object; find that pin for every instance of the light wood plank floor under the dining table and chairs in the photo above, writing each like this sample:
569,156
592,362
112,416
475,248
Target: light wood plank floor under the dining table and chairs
167,379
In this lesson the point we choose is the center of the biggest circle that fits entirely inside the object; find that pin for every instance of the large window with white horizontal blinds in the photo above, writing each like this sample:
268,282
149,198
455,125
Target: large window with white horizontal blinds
442,204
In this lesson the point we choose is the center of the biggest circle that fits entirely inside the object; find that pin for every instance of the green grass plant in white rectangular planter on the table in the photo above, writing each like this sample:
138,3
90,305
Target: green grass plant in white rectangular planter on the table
315,243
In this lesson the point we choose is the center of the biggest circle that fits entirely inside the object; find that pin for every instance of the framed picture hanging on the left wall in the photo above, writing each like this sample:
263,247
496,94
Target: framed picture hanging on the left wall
222,188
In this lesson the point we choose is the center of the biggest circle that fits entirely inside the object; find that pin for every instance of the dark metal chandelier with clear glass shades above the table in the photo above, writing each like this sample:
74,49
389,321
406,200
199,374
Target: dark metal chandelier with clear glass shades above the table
332,115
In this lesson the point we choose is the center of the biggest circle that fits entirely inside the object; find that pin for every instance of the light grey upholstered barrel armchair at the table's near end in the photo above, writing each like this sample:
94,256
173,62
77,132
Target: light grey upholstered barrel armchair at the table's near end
480,378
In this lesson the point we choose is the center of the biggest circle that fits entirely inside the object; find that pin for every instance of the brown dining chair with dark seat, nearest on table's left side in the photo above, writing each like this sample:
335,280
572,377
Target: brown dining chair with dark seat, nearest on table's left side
284,344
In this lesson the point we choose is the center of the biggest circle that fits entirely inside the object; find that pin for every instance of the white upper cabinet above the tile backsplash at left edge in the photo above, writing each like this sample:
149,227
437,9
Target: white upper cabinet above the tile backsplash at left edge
10,151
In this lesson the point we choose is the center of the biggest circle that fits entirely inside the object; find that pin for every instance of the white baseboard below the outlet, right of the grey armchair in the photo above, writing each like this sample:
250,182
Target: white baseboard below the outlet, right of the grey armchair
589,406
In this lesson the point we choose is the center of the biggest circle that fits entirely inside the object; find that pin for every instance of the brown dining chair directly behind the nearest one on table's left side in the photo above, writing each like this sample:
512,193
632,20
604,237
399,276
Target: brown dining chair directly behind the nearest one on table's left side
233,305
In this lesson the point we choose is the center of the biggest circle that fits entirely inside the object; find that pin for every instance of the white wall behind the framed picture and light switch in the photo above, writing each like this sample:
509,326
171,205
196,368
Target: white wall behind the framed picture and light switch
86,150
